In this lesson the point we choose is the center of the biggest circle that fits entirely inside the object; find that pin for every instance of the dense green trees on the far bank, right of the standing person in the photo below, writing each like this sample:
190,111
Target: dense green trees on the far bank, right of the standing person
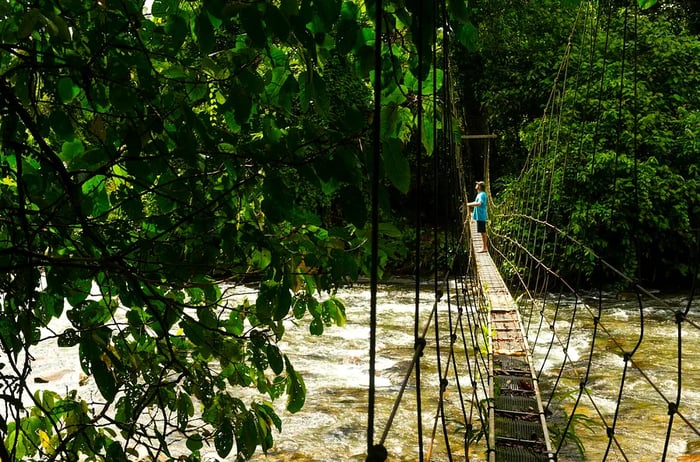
614,160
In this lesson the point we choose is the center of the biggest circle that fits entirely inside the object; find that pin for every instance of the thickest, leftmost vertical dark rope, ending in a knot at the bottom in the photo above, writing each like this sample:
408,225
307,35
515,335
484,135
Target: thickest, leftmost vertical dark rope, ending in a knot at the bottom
375,453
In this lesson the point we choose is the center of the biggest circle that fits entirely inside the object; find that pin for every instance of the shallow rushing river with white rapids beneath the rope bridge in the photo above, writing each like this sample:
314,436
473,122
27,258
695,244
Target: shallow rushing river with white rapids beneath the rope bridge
332,426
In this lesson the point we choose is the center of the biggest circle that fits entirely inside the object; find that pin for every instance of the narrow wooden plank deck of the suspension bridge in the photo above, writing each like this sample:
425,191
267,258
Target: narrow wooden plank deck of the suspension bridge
517,422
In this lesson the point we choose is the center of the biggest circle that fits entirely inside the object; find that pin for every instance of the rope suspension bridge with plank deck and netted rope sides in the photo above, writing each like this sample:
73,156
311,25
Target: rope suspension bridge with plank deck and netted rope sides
527,359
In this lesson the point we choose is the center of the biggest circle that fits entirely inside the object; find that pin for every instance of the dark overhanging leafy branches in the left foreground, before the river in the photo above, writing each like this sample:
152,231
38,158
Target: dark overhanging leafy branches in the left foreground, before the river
154,156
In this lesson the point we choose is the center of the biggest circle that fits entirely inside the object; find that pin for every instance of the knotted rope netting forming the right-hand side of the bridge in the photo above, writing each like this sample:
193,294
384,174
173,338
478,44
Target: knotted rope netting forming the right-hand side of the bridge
586,352
